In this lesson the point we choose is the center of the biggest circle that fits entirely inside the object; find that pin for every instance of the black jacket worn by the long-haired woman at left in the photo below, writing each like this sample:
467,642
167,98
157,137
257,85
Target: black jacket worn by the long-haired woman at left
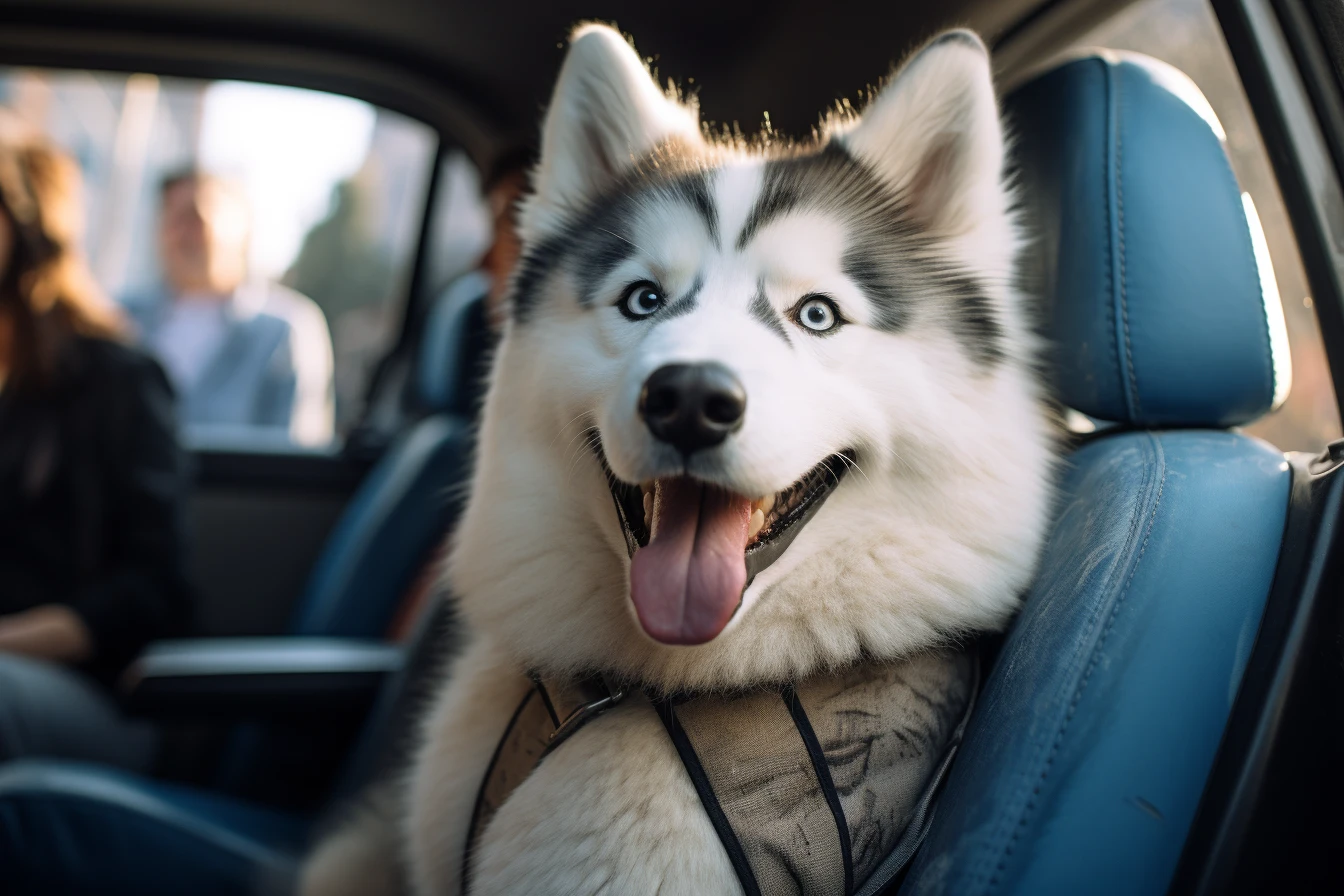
92,491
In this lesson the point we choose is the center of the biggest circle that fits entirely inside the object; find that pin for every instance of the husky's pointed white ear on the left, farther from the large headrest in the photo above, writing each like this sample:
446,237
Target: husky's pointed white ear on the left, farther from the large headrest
605,114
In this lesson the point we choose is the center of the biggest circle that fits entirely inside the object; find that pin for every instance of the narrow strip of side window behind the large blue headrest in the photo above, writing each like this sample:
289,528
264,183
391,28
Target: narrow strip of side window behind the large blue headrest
1186,36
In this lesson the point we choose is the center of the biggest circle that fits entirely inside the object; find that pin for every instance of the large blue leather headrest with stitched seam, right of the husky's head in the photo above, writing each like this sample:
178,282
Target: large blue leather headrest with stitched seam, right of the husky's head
1161,300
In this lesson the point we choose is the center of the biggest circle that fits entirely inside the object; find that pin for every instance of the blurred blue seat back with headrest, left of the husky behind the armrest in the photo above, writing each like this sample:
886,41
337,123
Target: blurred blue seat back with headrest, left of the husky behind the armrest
382,546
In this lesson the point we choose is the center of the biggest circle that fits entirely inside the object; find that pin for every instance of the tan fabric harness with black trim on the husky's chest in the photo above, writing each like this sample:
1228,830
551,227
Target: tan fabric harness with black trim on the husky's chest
816,789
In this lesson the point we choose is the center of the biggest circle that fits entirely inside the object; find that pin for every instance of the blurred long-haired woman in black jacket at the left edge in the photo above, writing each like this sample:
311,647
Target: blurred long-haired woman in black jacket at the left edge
92,480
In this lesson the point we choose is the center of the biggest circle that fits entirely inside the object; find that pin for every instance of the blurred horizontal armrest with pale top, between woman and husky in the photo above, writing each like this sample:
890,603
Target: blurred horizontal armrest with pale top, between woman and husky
241,679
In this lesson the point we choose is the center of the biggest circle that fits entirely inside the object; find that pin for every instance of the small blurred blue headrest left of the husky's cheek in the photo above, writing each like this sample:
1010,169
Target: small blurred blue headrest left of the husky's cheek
456,338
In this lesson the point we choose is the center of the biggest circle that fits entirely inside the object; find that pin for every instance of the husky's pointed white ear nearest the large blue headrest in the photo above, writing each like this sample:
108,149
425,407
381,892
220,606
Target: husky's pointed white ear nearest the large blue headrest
933,132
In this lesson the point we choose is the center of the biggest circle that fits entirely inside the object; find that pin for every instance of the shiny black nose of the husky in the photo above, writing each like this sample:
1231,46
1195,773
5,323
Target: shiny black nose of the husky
693,406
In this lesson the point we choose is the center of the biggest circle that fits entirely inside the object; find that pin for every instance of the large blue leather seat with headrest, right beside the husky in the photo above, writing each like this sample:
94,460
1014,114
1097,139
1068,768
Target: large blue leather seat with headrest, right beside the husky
1099,726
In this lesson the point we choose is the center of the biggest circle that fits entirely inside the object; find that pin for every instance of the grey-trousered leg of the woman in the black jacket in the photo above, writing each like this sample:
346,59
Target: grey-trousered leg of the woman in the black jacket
53,713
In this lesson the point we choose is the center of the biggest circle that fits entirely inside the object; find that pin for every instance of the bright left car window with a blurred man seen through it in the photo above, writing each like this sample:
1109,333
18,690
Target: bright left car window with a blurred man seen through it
260,238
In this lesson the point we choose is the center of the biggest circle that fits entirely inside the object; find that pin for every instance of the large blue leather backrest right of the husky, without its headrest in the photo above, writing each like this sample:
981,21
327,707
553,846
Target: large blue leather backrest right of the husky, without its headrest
1087,758
